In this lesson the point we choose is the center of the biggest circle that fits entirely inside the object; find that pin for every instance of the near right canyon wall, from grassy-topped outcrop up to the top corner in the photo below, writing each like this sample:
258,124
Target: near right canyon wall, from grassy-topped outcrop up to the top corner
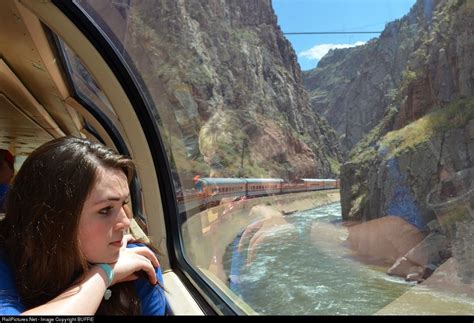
426,133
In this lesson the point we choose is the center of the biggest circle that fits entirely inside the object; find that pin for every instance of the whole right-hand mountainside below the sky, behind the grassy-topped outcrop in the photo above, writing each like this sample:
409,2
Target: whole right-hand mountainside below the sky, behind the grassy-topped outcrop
420,61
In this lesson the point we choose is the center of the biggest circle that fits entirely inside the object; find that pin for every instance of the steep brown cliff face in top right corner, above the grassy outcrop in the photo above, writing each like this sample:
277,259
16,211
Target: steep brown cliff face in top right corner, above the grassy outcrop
440,68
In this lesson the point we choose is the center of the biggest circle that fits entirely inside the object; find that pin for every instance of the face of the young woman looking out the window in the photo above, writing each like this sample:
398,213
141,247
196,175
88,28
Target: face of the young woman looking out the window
103,218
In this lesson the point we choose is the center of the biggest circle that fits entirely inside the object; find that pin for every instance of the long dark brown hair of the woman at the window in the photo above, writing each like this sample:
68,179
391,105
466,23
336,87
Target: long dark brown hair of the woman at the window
39,235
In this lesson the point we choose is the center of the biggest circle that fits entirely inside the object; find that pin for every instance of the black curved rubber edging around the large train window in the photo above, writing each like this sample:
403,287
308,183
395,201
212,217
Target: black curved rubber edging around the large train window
207,295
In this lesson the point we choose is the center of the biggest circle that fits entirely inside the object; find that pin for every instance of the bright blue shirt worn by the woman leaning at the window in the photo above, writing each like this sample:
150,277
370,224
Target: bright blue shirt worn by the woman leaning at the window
152,298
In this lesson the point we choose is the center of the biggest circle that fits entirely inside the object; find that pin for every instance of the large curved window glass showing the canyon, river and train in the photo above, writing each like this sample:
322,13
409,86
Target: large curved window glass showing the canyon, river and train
322,151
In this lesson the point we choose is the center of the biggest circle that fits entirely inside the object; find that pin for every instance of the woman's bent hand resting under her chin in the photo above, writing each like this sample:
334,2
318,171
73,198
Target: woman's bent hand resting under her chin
133,260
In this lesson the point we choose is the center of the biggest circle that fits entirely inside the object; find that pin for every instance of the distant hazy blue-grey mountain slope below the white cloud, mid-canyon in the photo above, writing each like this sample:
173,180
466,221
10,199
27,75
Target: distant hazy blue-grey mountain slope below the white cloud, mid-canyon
351,87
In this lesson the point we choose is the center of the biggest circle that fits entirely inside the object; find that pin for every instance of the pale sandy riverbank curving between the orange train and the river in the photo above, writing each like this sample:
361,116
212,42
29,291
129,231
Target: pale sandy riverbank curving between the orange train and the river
207,234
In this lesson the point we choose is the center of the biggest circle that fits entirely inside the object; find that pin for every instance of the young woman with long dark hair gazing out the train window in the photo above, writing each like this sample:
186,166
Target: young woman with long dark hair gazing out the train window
63,243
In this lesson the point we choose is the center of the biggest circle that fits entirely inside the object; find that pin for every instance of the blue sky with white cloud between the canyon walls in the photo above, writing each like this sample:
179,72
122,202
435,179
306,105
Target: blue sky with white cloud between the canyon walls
334,15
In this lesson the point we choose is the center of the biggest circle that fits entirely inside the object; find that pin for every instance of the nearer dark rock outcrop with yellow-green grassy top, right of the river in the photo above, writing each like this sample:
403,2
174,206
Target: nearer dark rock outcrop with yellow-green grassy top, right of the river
395,174
